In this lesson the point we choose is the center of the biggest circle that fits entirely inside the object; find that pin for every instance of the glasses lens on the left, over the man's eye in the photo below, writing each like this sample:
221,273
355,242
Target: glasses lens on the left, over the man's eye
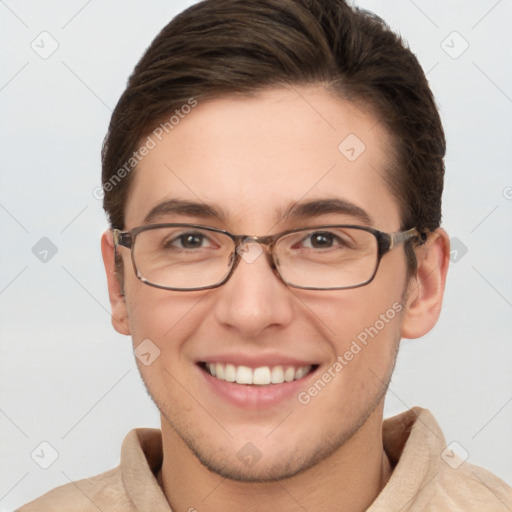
182,257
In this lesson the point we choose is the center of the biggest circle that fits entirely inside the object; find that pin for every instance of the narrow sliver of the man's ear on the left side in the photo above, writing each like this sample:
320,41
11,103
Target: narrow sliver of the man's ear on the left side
117,301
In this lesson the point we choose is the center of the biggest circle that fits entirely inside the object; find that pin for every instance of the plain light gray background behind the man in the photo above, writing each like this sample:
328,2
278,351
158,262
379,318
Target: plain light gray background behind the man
68,379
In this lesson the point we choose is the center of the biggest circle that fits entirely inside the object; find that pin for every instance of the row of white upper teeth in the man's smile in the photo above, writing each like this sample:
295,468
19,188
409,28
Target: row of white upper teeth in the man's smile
260,376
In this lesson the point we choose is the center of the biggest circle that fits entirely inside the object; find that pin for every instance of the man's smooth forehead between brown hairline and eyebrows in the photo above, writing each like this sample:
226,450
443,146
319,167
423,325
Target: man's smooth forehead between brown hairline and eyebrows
252,158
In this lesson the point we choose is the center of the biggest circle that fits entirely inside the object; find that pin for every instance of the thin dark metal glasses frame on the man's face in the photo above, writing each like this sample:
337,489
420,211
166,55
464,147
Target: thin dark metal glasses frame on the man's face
385,243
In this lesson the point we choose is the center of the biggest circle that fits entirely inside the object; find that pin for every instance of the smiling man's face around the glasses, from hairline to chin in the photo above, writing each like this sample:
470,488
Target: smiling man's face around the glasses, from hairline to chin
251,160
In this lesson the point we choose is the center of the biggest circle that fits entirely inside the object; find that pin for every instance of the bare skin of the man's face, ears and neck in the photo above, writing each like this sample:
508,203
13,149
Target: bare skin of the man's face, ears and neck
253,158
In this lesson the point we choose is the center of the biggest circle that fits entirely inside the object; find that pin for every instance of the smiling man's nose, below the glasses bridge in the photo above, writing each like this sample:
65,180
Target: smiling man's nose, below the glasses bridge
254,299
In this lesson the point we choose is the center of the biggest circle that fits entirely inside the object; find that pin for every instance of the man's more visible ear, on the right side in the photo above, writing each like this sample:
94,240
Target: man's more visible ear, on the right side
426,289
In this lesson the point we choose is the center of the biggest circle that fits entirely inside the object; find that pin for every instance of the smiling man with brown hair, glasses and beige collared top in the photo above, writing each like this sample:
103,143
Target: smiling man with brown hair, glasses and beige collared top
273,177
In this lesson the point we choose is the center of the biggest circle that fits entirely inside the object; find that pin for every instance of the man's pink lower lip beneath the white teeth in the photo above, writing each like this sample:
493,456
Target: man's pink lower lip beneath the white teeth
254,396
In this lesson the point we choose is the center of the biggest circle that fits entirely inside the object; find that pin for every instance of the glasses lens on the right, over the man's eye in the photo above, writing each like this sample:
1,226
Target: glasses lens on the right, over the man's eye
327,257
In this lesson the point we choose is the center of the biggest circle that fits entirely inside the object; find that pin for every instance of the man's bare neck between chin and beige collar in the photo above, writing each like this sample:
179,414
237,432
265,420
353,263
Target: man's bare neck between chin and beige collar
349,479
